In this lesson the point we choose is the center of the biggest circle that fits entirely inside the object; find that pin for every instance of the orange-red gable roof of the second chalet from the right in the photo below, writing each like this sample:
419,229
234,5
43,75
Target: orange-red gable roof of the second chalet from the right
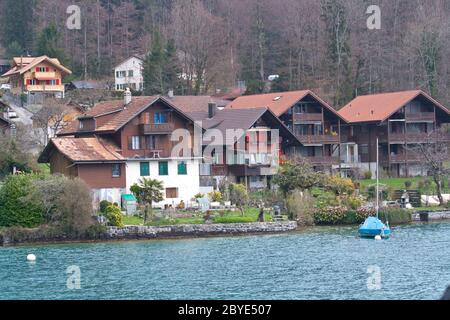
279,103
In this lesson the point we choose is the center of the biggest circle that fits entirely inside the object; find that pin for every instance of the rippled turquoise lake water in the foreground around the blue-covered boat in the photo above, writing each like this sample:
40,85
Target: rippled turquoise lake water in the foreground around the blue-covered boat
322,263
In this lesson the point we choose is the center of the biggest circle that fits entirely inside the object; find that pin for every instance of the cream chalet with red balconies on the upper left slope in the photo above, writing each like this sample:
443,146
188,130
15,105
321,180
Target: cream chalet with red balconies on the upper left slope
37,75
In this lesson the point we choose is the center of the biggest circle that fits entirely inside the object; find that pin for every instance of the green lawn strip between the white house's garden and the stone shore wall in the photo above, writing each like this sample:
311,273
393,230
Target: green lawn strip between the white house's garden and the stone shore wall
250,215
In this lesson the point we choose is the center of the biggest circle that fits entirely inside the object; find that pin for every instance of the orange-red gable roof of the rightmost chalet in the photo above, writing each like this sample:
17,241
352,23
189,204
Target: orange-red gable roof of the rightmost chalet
379,107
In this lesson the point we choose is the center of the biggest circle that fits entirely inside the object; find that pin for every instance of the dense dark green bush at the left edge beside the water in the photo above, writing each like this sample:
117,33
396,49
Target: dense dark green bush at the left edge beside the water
15,209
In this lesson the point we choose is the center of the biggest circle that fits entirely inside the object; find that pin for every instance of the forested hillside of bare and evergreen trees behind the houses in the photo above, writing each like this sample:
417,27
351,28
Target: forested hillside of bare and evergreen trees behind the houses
323,45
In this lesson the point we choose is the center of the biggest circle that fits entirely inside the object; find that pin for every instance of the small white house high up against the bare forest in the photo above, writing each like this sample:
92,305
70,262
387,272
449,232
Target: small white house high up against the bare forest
129,74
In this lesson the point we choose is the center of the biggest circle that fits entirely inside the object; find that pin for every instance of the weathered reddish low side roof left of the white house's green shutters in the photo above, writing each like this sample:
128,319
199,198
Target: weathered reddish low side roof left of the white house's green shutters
93,149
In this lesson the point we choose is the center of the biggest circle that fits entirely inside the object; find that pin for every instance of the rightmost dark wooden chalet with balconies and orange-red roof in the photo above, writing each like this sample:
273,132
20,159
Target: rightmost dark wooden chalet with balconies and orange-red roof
400,121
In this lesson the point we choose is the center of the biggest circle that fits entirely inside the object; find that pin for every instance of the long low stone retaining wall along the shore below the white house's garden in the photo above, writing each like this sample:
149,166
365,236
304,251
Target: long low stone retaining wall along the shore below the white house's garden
141,232
